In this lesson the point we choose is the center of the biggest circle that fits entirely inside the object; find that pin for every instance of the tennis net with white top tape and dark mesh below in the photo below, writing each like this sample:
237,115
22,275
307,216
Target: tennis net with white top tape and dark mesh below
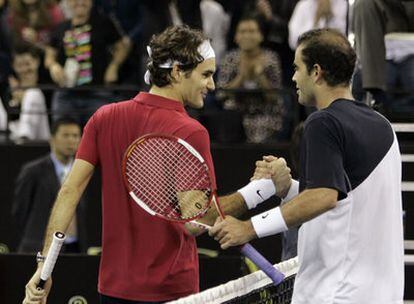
252,288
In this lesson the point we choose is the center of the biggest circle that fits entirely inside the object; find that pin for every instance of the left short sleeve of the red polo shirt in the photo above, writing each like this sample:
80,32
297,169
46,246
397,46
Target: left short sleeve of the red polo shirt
88,148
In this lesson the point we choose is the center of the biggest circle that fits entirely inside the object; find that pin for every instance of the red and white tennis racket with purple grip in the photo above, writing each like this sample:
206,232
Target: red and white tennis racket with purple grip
168,178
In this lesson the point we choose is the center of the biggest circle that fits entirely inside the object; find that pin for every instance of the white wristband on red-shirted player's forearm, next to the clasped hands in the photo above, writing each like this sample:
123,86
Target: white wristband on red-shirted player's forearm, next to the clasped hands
257,191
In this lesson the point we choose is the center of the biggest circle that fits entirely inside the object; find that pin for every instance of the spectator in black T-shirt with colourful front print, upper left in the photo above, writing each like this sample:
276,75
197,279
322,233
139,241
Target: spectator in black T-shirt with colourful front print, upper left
86,50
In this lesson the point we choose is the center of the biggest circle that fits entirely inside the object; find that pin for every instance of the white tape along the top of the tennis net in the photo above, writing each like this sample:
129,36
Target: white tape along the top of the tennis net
239,287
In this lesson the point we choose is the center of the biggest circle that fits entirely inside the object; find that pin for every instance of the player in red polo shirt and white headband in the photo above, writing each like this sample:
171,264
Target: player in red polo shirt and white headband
146,259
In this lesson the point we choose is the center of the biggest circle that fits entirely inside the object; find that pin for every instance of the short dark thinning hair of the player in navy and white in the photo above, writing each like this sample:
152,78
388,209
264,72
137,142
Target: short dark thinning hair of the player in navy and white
332,51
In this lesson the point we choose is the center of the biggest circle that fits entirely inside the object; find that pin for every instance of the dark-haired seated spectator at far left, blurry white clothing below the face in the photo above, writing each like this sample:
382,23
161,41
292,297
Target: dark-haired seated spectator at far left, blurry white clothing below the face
32,122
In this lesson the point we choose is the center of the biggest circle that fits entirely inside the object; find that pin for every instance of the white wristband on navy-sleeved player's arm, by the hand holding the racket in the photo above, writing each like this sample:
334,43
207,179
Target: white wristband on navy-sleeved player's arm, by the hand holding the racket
269,223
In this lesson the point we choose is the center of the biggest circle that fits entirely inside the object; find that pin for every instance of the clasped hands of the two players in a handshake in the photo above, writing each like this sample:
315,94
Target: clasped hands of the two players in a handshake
276,169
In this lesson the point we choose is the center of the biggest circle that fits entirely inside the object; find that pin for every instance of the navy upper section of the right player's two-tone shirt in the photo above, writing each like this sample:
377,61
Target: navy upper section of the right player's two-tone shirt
341,143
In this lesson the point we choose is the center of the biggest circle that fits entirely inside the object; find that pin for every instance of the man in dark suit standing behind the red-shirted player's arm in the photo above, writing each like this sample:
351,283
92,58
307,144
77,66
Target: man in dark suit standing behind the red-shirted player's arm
36,188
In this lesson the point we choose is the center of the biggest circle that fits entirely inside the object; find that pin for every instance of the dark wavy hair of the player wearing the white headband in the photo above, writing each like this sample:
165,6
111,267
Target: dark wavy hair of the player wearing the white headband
176,43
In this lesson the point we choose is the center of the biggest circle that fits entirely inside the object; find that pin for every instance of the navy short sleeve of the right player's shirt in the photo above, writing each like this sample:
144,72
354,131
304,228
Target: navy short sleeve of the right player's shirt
321,156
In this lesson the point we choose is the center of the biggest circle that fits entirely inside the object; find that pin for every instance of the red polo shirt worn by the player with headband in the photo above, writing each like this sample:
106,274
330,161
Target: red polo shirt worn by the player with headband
144,258
